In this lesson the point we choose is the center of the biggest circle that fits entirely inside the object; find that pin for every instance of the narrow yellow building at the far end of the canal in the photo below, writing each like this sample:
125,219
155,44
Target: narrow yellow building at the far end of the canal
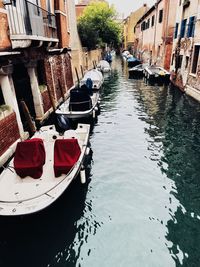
129,25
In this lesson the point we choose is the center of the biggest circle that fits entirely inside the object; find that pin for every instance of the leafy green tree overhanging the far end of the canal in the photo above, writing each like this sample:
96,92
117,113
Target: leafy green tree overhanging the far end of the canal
97,26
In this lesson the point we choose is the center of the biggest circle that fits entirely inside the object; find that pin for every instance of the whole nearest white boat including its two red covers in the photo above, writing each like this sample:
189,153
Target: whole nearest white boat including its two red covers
42,169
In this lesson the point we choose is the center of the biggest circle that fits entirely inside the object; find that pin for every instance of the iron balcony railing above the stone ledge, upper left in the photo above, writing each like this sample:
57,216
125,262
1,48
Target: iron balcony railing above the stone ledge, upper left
27,18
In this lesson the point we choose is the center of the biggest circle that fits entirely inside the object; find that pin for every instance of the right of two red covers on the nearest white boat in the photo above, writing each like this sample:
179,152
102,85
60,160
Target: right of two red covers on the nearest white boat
66,154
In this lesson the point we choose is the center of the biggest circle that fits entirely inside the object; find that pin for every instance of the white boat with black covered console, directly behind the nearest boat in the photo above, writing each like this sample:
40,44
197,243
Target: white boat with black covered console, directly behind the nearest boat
80,104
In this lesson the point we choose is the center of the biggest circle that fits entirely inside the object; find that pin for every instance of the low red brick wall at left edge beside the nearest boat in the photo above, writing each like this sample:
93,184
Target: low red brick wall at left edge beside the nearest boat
9,132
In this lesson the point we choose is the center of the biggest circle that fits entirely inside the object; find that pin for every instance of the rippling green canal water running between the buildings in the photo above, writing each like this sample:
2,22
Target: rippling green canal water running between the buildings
141,204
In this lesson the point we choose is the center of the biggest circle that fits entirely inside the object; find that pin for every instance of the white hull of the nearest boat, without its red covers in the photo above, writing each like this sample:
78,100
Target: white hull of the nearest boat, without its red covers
27,196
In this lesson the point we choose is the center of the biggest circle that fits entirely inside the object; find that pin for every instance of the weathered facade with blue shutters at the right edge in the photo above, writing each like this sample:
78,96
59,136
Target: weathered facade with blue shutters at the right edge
185,61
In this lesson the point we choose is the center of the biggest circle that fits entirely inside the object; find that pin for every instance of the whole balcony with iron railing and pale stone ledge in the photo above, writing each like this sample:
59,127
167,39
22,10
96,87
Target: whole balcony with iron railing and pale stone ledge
30,24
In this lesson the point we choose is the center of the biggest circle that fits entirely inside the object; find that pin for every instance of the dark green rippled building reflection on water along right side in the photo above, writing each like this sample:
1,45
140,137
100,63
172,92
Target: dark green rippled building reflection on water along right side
174,140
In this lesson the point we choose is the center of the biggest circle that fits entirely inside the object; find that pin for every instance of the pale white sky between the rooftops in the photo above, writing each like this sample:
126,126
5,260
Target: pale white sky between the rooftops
125,7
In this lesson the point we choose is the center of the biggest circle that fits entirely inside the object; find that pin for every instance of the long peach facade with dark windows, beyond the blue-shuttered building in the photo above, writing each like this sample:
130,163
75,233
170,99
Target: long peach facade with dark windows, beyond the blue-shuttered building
154,33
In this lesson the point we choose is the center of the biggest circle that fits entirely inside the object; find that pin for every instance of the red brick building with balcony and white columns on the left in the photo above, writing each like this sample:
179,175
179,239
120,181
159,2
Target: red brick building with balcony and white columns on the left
35,66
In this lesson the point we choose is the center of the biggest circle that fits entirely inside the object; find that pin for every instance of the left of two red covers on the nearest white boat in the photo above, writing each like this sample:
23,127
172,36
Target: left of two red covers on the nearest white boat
30,158
